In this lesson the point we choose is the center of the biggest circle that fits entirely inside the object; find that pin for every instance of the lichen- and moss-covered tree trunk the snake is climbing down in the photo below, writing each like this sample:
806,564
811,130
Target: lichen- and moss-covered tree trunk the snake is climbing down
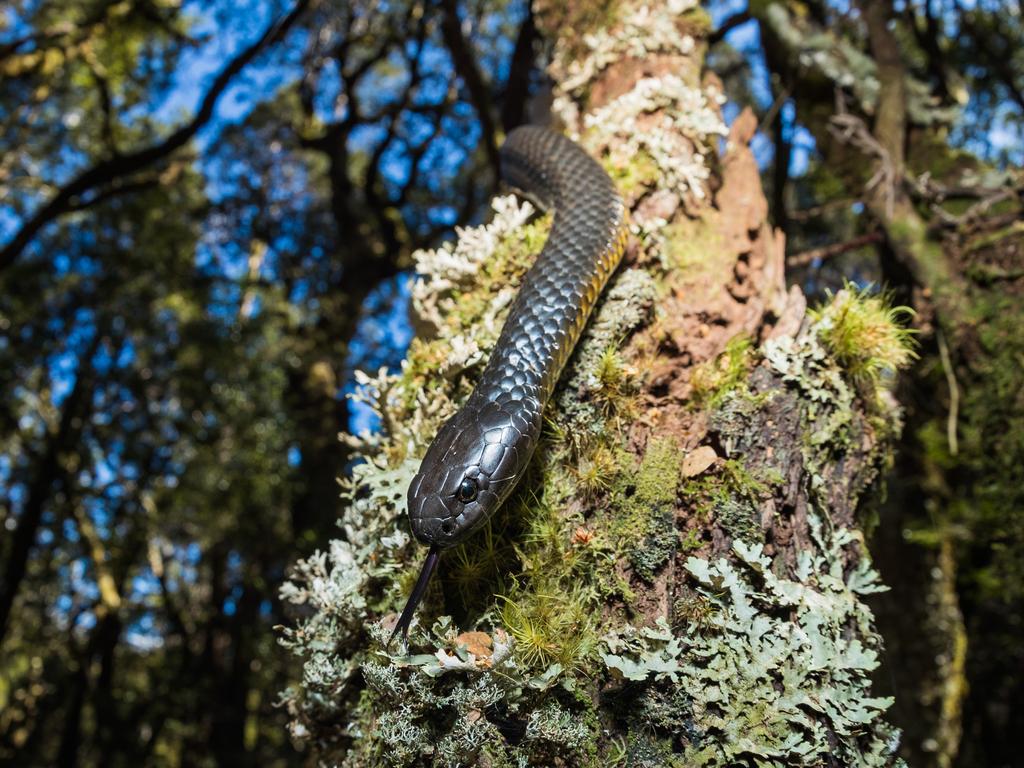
679,581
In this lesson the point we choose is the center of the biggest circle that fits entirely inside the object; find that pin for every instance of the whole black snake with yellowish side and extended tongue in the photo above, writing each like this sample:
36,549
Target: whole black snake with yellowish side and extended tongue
482,452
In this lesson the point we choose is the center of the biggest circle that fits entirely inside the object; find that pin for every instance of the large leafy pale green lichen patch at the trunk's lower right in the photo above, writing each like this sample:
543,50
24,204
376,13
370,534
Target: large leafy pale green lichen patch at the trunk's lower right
773,674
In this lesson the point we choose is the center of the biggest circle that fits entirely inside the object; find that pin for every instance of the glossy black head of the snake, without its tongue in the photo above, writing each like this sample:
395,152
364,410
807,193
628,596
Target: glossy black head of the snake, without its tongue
470,470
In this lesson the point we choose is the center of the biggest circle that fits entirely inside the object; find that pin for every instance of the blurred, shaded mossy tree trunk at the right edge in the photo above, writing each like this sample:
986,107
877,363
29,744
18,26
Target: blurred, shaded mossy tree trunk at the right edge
951,243
